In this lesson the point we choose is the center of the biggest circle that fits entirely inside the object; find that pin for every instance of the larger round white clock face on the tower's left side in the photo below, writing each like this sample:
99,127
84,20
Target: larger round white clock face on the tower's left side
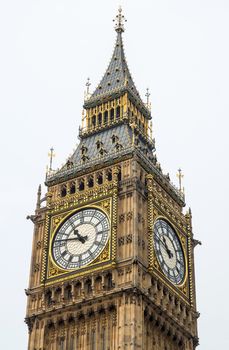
80,239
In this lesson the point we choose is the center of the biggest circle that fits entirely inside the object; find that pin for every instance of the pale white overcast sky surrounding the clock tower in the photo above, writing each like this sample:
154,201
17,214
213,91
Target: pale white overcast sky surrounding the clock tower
179,49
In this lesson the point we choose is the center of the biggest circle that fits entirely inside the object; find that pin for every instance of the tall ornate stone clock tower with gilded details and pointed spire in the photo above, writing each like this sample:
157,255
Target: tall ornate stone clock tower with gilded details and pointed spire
112,262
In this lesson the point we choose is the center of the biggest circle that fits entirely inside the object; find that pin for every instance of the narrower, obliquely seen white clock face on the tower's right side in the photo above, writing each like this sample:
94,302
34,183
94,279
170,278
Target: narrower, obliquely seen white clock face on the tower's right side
169,251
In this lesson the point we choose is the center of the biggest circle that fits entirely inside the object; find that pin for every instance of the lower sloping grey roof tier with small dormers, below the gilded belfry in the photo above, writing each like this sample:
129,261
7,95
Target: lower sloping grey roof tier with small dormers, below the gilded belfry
105,148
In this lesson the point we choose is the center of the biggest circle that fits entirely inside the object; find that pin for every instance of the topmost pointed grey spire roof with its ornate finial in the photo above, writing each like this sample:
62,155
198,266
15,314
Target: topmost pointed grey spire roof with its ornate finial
117,78
